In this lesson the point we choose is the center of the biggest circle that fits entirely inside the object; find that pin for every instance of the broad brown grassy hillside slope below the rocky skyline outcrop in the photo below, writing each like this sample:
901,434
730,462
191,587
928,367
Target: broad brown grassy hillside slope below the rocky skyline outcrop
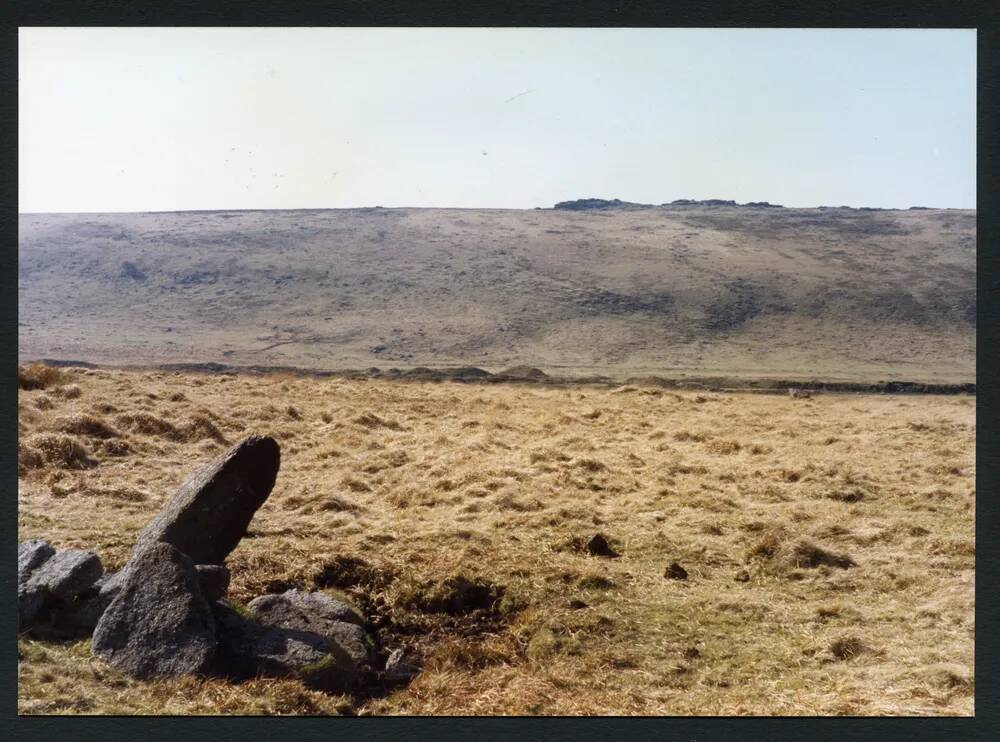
833,294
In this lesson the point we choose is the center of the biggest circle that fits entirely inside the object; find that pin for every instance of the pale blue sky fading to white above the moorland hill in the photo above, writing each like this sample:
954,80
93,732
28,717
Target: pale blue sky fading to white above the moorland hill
165,119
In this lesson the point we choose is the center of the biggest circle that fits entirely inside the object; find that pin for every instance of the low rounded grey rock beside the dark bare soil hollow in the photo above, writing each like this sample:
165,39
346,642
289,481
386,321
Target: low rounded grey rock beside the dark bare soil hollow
318,613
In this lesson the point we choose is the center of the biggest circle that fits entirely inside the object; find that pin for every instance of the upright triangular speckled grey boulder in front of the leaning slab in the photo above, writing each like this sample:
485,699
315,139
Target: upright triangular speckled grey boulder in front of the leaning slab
159,624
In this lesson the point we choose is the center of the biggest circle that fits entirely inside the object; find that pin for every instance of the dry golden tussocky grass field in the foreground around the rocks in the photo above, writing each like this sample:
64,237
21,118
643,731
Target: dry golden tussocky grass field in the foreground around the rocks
828,542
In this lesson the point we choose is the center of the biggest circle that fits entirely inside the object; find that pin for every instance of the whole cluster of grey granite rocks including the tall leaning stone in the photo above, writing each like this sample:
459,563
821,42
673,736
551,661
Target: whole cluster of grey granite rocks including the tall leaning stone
165,614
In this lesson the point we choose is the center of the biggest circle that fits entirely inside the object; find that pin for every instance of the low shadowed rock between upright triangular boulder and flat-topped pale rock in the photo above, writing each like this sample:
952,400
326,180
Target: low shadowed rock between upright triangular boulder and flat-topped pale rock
248,649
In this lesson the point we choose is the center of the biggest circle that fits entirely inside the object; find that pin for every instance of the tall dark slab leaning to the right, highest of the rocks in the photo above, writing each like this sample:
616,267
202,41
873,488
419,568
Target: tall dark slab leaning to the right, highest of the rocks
209,513
